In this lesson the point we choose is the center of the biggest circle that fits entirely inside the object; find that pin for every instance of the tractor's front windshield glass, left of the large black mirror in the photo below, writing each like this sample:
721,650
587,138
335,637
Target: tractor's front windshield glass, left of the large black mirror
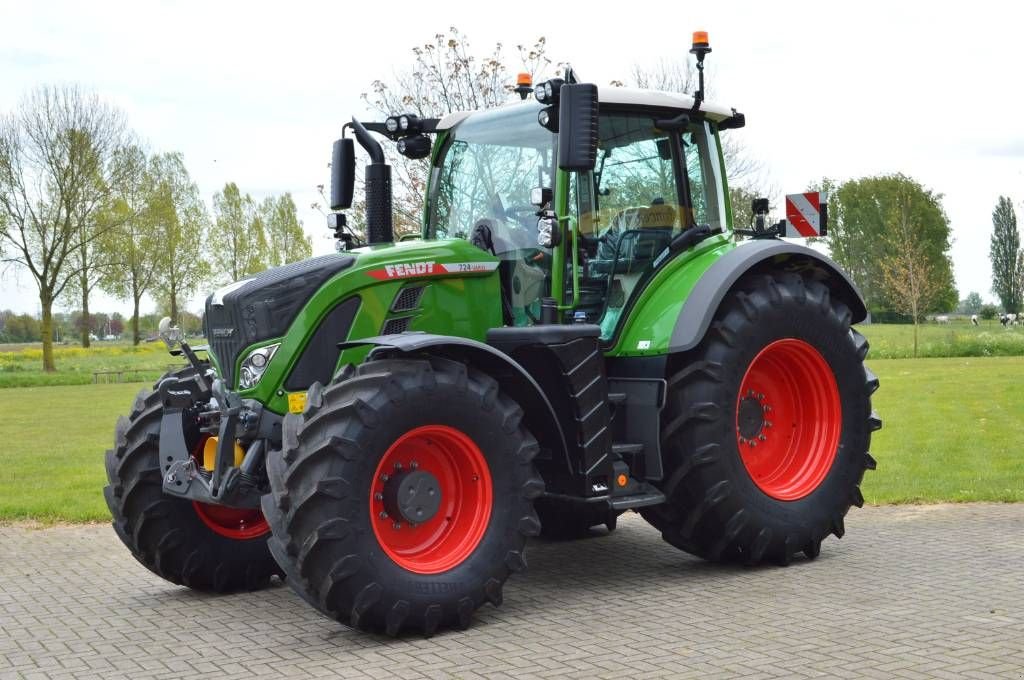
486,174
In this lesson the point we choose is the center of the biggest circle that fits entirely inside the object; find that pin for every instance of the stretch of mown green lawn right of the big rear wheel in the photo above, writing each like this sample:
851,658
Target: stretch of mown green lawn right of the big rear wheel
953,431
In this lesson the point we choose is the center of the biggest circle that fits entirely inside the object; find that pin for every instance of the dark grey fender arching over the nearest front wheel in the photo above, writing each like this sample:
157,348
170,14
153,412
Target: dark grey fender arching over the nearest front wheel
540,418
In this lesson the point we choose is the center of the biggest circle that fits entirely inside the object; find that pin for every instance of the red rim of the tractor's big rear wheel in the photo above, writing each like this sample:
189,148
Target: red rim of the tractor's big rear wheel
789,419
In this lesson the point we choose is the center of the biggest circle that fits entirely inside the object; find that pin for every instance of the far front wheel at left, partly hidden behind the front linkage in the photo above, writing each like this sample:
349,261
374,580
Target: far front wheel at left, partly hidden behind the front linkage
208,548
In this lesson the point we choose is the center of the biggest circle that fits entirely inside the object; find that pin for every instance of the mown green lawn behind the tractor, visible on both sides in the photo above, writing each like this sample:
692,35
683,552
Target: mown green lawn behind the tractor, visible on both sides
953,433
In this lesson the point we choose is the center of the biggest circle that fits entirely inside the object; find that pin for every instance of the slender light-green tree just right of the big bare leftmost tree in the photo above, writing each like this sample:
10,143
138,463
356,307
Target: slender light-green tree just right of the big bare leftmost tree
135,244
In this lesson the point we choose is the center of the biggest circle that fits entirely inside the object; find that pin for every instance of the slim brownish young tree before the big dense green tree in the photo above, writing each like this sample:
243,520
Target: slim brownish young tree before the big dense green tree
912,280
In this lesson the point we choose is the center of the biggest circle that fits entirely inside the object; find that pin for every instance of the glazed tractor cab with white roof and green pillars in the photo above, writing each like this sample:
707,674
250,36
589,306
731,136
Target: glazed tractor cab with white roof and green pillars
658,174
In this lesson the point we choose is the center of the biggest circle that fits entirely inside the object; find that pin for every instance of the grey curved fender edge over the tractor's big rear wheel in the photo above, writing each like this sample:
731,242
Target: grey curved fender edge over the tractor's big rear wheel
754,258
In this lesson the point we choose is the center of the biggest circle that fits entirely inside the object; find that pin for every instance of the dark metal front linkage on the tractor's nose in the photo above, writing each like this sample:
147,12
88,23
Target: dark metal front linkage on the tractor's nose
200,405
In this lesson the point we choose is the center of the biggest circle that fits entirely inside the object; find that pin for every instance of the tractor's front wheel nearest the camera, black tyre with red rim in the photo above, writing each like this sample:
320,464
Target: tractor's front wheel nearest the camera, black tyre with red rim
349,543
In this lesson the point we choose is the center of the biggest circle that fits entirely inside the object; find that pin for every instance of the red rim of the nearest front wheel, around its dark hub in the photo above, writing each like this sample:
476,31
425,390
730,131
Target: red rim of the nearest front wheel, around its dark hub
463,479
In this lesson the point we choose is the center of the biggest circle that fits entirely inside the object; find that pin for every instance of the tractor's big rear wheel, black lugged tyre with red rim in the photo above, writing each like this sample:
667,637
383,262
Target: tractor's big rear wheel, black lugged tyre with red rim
767,427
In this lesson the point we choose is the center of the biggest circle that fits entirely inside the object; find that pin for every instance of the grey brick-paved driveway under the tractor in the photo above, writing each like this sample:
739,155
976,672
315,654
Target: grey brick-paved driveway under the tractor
911,592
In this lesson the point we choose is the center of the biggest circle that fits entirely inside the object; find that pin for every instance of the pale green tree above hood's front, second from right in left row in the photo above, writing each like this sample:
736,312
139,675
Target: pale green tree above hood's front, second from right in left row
238,238
